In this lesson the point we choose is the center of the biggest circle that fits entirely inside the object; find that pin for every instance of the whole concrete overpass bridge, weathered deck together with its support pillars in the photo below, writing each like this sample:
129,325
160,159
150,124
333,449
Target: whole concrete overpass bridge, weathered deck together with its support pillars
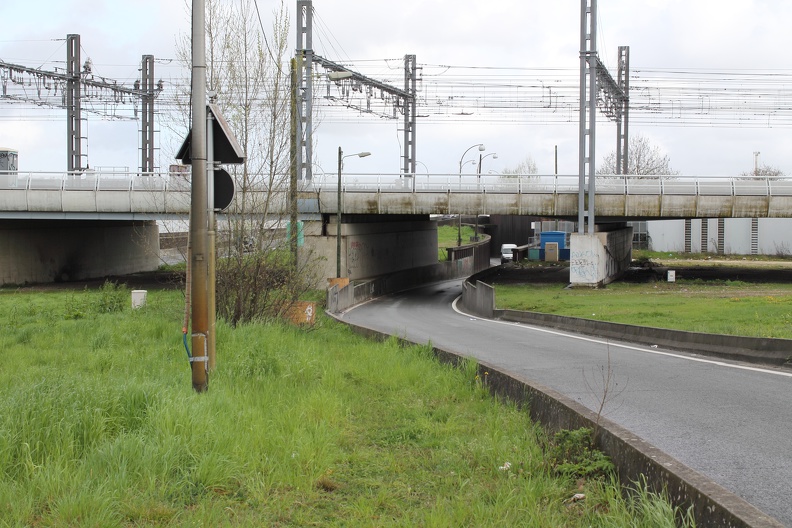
65,226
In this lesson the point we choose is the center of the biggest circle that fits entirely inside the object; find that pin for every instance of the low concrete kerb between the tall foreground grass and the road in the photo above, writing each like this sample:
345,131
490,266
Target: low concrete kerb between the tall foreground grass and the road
635,459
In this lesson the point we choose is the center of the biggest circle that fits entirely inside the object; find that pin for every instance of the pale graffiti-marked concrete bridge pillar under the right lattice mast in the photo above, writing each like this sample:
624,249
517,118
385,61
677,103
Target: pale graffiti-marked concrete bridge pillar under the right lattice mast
599,258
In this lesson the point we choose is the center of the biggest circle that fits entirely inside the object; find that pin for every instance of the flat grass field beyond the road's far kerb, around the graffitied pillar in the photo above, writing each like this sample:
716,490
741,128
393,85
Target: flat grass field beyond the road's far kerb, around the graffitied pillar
728,307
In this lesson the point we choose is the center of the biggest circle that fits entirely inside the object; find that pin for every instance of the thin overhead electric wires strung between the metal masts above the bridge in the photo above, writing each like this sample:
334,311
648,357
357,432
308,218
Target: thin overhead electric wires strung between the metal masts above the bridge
453,93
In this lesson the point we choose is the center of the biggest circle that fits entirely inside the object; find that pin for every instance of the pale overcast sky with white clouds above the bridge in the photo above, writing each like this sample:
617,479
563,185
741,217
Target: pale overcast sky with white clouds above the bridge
691,34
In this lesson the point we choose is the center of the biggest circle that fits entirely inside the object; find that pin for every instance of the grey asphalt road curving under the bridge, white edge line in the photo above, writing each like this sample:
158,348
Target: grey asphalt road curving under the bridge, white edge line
729,421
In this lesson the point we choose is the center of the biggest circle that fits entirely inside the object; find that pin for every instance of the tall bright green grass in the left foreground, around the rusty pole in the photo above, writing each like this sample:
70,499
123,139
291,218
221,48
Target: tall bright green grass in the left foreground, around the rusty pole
99,426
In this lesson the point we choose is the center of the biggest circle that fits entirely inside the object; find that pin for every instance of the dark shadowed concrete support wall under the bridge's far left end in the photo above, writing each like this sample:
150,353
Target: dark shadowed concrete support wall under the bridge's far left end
40,251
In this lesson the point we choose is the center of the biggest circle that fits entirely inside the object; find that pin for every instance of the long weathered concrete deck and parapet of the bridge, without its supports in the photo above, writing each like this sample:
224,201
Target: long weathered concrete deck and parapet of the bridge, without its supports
121,195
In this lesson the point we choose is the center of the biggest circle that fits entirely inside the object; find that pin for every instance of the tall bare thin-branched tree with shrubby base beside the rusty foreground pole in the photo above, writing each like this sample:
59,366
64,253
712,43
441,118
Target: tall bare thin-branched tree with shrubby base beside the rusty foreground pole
248,75
